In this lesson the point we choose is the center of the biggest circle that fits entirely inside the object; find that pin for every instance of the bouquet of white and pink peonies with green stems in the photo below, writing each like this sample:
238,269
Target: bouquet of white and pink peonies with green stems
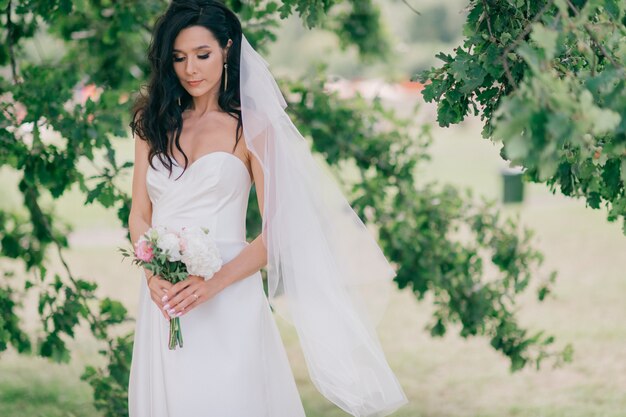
173,256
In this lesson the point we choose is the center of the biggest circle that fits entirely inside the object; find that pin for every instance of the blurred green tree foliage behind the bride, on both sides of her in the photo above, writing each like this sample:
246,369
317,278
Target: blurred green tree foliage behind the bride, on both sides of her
438,236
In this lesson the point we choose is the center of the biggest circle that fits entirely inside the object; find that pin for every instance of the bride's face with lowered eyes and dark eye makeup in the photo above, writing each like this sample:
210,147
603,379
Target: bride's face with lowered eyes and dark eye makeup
198,57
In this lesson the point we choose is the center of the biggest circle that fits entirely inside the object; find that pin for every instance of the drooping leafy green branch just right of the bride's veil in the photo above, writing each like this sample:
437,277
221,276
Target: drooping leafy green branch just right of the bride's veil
439,236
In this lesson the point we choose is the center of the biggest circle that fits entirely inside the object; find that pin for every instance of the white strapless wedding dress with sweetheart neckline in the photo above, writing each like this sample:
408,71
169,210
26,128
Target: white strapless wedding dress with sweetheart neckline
233,362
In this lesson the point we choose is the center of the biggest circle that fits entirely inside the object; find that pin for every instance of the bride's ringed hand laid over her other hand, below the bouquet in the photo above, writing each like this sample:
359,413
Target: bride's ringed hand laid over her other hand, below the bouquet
186,295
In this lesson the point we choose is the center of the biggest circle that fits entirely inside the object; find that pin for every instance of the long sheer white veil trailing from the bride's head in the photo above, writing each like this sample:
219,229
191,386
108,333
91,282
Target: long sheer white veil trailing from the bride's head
323,263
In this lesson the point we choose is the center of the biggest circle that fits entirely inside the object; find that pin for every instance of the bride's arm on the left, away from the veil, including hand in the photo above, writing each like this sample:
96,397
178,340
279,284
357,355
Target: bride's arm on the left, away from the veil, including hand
140,217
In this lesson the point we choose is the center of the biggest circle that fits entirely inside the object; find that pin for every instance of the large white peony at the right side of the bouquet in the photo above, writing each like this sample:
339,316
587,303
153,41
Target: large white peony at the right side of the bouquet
200,253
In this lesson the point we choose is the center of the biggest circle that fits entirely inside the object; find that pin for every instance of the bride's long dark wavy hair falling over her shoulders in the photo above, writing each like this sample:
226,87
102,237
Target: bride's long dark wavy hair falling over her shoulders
156,114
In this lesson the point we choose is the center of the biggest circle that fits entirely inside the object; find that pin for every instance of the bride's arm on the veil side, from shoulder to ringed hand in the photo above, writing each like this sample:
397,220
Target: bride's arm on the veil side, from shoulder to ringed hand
250,260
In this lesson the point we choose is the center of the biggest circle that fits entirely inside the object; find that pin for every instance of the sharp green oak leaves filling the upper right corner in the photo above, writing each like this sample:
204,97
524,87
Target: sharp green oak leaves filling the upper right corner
549,81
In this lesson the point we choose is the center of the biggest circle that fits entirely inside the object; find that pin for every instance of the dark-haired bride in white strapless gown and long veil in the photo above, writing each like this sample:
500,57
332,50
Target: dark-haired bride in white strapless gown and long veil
211,124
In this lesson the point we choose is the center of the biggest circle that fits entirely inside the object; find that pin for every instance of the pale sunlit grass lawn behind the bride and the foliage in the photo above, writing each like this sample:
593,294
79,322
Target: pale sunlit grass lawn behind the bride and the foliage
442,377
